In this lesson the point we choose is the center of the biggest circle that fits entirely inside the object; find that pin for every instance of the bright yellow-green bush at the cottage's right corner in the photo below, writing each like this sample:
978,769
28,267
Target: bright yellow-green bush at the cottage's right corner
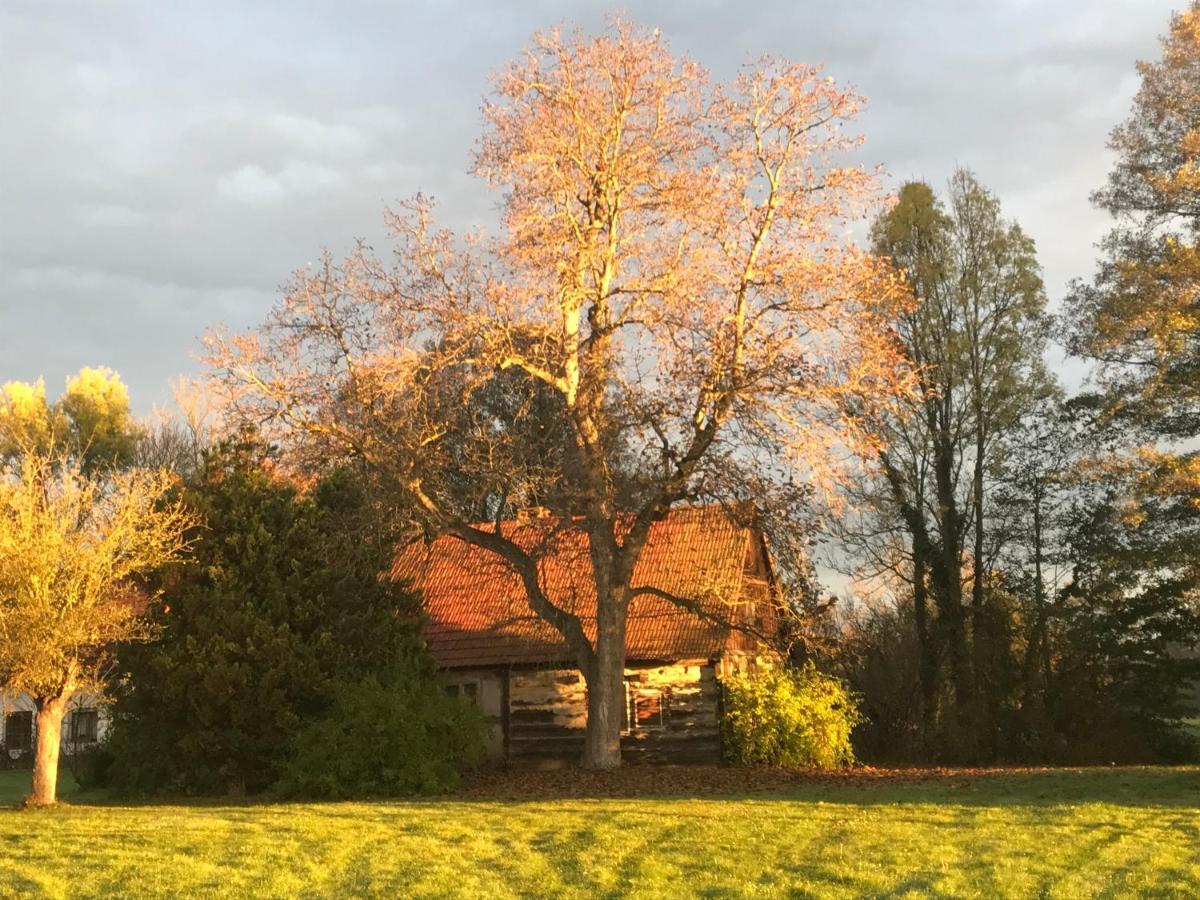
790,717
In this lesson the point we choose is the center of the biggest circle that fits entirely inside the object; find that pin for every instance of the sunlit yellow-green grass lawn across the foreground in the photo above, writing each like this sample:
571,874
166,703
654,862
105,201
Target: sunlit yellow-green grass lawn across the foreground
1064,835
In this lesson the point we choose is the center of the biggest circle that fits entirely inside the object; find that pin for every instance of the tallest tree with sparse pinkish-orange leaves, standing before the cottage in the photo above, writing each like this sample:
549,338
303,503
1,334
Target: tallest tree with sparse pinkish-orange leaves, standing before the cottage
675,284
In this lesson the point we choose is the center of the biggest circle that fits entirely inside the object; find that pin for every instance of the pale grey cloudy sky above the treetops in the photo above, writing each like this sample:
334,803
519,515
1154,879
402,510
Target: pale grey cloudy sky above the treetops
164,166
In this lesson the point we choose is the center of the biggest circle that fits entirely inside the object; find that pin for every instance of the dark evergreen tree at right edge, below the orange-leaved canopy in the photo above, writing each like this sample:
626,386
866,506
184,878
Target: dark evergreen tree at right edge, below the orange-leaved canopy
1127,620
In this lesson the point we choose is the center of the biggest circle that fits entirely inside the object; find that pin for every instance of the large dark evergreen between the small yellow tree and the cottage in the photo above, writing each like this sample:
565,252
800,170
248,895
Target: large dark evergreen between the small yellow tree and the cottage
281,598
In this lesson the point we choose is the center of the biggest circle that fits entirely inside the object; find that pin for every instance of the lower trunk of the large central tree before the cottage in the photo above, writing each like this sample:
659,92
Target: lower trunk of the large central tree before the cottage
607,687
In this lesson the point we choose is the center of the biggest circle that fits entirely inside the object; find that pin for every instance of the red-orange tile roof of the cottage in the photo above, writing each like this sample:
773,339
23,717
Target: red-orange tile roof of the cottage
479,615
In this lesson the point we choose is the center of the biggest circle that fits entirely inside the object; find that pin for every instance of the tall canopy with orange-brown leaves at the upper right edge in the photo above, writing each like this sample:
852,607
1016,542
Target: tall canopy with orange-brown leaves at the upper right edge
1139,319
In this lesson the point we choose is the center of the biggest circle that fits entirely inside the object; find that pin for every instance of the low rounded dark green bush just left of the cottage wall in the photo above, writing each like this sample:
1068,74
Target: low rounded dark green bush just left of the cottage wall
386,737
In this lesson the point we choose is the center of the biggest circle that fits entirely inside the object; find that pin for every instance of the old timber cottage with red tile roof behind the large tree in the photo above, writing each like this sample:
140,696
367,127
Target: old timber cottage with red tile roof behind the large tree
493,649
